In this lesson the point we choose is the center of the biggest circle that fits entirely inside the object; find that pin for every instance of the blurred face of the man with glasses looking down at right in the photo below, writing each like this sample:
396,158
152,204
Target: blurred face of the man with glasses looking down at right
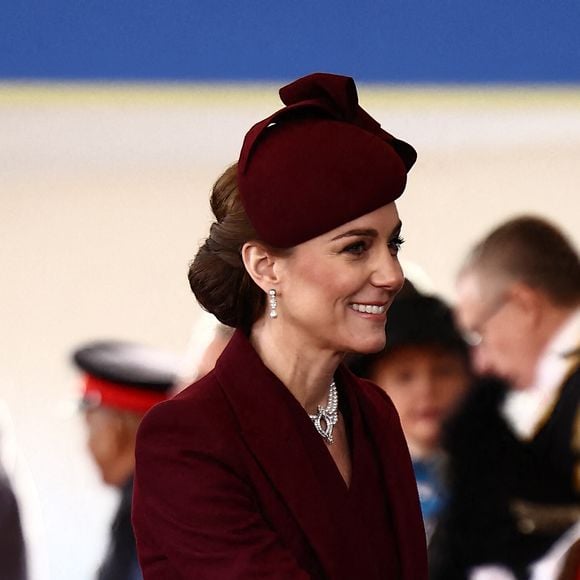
499,325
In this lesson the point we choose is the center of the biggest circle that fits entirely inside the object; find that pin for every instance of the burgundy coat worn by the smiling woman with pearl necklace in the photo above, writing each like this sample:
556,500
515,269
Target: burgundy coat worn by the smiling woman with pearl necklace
228,481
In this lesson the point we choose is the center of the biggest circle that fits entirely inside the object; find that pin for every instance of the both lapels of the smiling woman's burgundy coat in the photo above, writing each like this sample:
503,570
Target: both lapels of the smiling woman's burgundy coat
270,426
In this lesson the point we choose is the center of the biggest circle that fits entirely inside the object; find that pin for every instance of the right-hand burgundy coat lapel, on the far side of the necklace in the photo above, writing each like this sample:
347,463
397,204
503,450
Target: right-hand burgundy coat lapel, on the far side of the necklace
398,476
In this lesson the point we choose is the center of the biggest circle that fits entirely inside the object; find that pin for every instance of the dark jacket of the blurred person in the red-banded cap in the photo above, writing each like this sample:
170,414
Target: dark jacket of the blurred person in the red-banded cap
121,559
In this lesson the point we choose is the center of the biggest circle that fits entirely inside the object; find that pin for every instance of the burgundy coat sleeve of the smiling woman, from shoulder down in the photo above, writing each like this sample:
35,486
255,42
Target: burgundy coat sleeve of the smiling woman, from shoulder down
194,513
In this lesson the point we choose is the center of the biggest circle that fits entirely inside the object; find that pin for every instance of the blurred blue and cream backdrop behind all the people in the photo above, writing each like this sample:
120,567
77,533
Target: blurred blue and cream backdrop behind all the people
116,119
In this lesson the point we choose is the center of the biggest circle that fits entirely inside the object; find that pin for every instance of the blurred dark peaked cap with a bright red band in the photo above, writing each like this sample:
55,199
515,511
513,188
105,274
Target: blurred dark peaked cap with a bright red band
124,375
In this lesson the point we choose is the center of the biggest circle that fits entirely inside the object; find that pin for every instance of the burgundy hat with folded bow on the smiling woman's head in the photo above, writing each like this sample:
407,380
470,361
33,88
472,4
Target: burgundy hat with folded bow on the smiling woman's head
319,162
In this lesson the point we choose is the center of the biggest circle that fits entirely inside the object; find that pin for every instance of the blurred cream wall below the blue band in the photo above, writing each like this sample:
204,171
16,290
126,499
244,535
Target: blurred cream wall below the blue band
103,200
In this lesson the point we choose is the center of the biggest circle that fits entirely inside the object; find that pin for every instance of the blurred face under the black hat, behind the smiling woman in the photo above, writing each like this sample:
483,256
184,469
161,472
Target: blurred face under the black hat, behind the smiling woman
424,383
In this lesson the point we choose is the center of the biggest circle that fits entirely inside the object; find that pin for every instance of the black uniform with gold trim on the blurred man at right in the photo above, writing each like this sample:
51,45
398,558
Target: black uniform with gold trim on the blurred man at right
510,499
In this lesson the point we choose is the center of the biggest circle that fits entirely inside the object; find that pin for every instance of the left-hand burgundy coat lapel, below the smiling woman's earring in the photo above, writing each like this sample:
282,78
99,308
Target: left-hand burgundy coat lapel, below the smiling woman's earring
269,418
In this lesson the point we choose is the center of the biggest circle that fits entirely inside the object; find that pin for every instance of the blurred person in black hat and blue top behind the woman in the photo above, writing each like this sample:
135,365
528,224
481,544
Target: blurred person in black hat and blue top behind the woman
425,369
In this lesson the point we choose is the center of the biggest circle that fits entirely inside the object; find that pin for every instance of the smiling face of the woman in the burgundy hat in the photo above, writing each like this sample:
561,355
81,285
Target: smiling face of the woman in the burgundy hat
335,289
